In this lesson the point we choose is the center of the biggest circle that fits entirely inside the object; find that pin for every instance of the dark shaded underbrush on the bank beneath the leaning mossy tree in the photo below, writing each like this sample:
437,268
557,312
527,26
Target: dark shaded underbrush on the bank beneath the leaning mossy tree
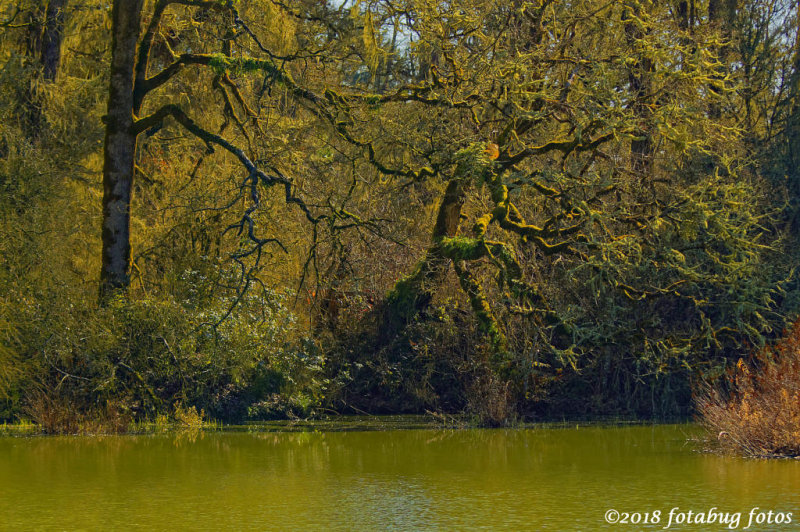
441,364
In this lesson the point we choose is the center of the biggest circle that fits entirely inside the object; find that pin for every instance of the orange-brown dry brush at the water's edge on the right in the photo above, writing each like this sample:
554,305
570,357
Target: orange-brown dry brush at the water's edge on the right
760,416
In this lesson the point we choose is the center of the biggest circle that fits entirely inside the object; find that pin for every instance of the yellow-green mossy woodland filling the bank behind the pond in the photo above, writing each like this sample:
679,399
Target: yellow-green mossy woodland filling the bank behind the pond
509,210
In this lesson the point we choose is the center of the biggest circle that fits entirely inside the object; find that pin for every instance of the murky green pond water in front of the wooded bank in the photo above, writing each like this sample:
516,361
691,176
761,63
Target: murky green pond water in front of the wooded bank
523,479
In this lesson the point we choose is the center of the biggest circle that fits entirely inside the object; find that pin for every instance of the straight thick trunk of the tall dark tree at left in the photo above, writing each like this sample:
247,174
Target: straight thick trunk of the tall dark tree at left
120,148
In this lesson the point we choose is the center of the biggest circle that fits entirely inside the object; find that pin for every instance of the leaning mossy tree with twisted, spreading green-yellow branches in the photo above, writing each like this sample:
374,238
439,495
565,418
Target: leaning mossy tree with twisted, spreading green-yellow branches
534,108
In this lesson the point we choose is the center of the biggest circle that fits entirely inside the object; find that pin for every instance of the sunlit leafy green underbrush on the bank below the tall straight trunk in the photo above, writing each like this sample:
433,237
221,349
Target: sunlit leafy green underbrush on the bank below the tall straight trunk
80,368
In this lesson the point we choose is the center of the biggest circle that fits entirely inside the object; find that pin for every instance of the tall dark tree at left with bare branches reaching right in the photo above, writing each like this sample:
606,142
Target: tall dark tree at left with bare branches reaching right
130,85
